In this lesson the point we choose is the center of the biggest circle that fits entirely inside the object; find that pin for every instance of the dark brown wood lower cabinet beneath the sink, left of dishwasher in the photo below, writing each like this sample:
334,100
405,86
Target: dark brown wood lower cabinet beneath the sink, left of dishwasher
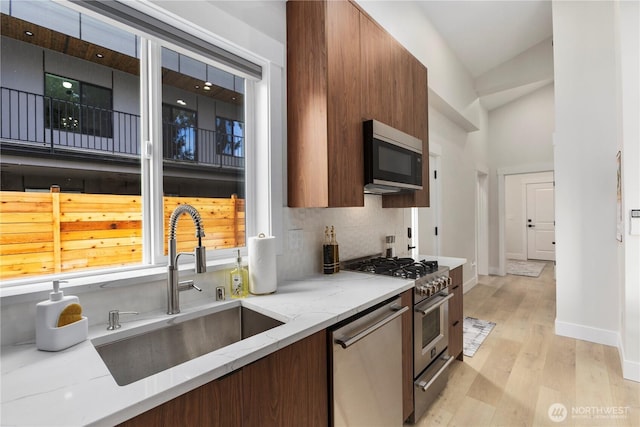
288,387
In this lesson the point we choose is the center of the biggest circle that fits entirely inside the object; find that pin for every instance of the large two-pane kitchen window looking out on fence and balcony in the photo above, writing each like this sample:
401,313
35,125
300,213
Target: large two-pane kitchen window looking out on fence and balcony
129,167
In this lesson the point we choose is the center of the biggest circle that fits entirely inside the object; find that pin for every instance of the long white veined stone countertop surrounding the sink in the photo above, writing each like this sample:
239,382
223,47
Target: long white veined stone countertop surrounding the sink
73,387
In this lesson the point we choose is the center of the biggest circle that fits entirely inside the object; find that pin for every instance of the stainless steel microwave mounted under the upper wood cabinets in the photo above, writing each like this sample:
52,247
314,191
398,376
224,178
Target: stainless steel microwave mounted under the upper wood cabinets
392,159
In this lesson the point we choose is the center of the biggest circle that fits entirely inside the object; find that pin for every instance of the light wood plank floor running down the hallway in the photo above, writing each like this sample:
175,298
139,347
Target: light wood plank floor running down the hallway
523,368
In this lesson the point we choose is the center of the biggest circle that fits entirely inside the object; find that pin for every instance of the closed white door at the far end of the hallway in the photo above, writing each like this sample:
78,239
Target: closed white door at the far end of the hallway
540,222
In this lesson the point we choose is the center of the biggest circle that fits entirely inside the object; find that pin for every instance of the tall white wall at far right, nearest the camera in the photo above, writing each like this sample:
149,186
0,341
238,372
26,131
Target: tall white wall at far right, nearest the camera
589,132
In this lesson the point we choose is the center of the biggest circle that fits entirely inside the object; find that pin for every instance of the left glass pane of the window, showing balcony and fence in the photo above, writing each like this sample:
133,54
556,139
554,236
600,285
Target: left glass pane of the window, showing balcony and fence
69,125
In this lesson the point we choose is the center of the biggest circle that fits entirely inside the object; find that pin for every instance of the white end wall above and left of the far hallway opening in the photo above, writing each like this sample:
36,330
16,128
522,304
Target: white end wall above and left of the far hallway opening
520,135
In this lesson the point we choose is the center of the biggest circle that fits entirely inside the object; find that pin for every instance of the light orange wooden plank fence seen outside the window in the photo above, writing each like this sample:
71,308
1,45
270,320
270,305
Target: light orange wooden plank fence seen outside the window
46,233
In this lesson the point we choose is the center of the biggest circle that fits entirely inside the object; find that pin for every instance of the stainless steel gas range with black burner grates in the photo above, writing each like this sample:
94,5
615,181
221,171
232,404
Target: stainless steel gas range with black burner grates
430,321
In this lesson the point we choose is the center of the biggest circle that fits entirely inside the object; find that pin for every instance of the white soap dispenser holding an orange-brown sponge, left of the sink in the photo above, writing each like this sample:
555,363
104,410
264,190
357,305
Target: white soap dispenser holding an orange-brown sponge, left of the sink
59,321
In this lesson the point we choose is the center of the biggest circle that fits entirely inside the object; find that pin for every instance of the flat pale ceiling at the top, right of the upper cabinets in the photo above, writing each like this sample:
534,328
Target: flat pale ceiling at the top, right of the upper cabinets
484,34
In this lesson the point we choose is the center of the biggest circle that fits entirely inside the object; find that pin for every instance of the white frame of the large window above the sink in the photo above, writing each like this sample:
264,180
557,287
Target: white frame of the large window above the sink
257,98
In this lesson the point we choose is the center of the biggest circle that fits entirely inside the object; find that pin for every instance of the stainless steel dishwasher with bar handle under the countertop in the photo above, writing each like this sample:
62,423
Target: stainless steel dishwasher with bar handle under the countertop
367,368
